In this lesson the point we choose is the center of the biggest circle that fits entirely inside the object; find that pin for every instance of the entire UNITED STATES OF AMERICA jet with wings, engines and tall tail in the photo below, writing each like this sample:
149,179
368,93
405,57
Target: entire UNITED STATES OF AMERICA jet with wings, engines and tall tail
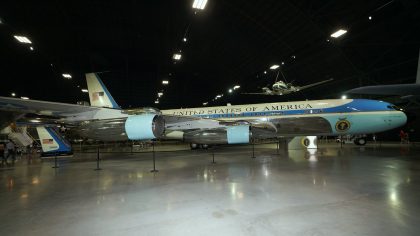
105,120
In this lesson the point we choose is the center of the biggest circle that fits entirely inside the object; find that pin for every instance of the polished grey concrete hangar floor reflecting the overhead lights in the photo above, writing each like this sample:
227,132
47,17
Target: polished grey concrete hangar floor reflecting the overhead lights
350,191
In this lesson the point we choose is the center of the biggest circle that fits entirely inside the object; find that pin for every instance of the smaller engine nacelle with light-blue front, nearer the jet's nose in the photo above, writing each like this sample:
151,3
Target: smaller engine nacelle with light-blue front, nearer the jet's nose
230,135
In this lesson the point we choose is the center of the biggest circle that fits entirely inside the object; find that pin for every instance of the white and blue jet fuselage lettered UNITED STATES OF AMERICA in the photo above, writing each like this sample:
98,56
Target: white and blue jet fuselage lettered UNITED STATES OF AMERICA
321,117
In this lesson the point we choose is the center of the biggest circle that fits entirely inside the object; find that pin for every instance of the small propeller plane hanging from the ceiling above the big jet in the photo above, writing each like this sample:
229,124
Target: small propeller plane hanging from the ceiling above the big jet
282,88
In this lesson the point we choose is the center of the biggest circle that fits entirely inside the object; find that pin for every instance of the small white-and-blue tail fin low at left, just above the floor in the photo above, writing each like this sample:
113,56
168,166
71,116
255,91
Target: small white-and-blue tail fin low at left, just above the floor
51,141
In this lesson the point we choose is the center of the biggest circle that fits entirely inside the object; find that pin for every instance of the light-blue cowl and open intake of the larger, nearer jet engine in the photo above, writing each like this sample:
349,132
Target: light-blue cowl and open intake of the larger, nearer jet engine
144,127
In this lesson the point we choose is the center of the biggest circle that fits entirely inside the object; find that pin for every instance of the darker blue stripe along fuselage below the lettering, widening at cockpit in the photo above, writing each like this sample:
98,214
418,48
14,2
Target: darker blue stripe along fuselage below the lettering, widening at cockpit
357,105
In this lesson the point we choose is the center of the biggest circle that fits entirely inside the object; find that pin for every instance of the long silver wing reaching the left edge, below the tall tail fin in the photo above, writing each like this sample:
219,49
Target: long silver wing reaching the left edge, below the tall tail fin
43,107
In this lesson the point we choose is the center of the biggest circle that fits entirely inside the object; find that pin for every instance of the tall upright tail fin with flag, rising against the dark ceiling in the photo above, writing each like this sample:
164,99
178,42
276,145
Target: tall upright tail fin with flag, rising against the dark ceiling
98,94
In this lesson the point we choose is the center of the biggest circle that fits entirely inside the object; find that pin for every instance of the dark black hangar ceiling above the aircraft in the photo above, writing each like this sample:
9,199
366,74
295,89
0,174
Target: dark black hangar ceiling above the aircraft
228,43
